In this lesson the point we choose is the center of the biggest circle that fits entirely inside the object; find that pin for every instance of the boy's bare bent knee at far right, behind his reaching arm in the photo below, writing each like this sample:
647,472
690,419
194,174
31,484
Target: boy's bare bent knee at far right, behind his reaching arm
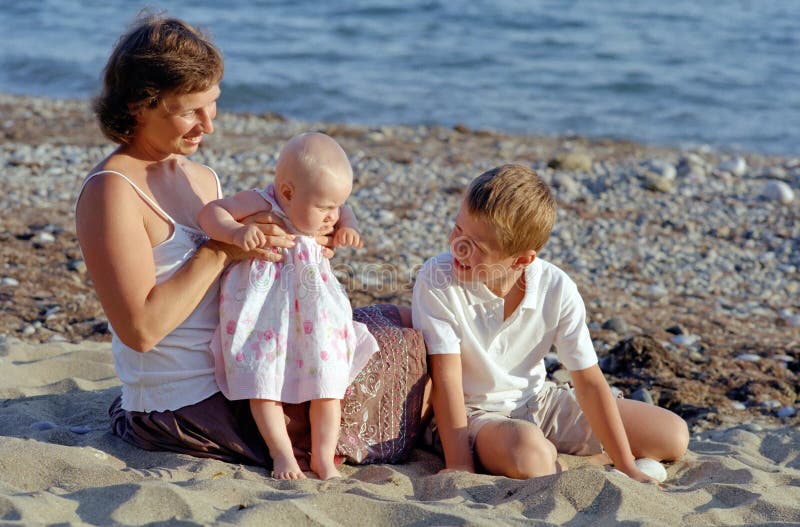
652,431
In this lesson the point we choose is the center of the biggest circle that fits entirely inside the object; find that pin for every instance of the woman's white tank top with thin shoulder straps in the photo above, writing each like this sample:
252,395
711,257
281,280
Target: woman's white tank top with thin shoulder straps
179,370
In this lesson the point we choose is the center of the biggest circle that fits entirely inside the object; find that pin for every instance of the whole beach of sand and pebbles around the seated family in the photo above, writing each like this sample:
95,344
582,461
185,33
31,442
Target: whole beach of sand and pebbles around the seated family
710,331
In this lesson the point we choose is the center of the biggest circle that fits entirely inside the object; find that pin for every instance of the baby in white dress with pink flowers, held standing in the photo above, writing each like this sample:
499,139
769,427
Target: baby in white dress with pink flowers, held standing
286,331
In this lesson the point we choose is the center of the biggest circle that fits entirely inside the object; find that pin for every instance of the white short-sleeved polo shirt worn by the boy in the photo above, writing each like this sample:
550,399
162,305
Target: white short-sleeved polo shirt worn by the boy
502,361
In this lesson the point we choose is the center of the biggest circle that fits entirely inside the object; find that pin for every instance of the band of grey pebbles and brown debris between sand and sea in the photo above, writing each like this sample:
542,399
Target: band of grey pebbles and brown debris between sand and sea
688,261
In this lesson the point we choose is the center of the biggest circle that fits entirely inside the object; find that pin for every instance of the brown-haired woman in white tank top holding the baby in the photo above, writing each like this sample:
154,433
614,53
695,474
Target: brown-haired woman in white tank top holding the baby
155,272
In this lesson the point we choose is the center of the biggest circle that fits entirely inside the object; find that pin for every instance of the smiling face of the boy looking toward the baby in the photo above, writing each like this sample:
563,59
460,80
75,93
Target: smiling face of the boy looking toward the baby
477,255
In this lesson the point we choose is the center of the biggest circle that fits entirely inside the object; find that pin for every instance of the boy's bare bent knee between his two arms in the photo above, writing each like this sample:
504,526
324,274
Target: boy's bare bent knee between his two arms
515,449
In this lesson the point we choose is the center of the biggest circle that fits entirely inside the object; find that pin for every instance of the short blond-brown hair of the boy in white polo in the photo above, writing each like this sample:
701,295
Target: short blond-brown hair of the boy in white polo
515,200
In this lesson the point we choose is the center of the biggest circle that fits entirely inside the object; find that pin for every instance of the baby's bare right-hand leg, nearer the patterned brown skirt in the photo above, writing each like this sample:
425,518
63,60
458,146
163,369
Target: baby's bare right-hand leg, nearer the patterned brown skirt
325,416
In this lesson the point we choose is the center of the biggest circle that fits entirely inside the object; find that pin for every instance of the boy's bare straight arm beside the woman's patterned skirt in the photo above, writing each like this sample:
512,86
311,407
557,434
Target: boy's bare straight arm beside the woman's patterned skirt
450,412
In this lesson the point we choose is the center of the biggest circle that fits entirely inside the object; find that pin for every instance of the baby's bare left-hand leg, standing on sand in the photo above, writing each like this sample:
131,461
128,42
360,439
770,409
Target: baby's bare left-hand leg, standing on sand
272,425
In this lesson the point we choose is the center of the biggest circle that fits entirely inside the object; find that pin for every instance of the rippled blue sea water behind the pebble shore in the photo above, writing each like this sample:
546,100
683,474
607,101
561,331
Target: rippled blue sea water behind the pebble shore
681,73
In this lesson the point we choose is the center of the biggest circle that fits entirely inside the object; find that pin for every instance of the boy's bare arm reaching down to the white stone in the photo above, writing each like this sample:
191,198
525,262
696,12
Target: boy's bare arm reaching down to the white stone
600,407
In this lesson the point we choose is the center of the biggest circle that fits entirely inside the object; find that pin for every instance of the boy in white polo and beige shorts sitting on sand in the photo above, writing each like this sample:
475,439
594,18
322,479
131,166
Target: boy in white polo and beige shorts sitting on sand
489,311
